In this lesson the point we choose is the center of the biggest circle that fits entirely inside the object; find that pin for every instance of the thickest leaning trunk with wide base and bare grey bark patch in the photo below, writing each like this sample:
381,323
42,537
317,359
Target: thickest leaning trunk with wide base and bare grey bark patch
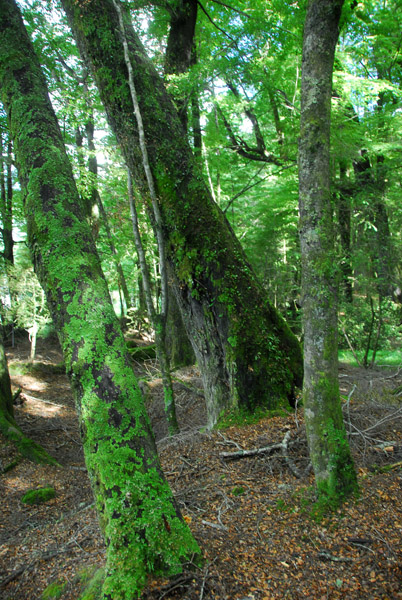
246,353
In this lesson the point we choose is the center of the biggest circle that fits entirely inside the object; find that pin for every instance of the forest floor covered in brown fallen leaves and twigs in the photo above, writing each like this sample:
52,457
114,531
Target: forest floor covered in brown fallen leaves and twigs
252,517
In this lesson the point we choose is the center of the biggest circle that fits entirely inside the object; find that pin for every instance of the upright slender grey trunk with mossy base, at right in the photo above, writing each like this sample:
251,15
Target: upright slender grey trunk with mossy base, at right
329,450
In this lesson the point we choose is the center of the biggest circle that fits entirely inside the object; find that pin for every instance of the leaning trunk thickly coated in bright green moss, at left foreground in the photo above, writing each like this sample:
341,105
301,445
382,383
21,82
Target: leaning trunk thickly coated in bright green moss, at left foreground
140,521
